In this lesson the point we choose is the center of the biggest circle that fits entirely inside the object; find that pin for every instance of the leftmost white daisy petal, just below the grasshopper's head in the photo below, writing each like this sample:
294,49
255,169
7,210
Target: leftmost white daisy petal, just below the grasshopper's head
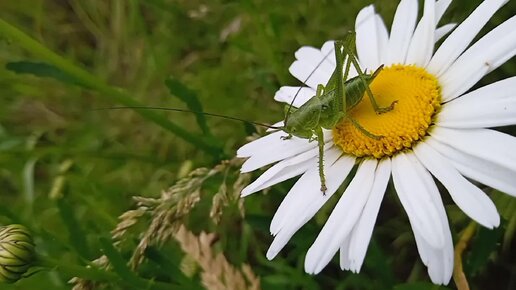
272,148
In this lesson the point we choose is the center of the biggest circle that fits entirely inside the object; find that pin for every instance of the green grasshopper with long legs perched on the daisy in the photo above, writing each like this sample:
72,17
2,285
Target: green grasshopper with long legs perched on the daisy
332,102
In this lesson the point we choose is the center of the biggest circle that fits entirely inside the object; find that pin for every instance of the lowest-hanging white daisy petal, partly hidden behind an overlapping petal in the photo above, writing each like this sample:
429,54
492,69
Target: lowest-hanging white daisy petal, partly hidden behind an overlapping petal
439,260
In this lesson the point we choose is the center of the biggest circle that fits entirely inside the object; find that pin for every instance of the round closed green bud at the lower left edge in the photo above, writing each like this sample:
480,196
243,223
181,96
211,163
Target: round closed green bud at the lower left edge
16,252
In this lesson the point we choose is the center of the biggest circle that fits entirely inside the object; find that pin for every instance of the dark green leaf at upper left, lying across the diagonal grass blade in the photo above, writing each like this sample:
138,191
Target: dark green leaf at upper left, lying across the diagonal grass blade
40,69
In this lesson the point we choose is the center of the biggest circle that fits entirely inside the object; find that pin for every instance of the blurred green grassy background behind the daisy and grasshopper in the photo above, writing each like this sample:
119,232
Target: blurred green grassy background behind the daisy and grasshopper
67,170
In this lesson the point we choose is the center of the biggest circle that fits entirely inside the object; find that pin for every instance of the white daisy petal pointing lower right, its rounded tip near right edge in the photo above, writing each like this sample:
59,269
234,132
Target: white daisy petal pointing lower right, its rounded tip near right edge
470,199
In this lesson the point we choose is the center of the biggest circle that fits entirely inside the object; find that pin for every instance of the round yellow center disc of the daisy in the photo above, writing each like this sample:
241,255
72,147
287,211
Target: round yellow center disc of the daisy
418,98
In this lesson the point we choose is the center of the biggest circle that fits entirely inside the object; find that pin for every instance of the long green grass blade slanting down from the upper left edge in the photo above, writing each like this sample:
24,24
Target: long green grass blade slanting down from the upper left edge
114,94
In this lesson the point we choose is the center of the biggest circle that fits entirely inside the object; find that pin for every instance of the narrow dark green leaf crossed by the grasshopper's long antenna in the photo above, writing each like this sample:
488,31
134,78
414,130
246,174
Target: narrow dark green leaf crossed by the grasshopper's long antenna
190,99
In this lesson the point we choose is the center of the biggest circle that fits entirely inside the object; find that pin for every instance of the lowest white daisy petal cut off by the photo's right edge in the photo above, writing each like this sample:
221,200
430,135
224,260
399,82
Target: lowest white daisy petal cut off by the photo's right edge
481,170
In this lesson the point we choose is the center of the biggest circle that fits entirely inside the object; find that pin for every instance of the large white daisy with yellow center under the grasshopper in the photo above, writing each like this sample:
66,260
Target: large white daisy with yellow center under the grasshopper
438,128
